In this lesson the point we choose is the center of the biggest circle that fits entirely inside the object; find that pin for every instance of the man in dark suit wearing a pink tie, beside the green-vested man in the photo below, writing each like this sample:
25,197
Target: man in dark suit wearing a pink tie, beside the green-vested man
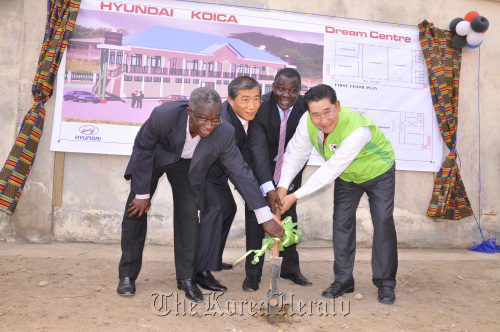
278,117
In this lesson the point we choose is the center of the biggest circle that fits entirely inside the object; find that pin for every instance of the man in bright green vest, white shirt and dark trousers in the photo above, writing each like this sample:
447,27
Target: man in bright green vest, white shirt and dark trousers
359,159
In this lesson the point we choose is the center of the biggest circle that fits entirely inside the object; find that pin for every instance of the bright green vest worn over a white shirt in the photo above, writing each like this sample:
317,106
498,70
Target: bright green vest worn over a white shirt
376,157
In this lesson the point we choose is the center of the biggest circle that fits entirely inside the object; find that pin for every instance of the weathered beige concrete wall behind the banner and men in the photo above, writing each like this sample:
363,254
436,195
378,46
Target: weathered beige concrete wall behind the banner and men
94,190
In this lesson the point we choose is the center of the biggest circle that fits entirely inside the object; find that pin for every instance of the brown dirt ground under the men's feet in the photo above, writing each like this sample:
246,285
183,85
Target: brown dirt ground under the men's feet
66,287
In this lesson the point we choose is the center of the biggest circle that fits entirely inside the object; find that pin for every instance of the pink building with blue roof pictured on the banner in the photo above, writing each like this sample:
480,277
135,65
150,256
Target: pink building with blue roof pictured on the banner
161,61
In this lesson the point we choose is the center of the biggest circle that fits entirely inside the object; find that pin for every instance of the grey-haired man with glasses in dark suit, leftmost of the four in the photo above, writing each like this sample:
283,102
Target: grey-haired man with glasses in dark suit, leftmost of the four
184,141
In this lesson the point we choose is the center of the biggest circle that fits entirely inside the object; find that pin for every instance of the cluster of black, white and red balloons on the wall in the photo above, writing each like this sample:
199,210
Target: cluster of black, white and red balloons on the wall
468,30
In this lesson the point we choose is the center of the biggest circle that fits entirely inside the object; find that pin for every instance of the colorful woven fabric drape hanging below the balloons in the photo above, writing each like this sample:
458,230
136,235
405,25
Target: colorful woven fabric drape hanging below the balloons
449,198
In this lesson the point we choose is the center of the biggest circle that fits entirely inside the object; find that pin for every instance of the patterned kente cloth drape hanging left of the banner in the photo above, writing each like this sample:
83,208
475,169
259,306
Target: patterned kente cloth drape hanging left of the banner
61,16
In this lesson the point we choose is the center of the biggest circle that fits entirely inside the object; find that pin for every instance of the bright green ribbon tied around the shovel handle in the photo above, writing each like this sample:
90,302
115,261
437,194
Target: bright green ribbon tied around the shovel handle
290,236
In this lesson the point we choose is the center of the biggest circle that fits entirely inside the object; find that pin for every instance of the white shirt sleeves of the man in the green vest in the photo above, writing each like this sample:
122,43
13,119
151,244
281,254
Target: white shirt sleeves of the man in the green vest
298,151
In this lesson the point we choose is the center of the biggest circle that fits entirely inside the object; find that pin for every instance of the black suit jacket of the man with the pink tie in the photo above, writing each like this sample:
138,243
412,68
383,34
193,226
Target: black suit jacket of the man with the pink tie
264,135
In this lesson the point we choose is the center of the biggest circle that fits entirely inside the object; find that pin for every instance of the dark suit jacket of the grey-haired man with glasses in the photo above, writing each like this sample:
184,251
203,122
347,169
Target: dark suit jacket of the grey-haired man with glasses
160,141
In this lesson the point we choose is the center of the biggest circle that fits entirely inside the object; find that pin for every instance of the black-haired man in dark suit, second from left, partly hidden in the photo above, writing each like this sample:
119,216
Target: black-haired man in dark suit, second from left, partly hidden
220,208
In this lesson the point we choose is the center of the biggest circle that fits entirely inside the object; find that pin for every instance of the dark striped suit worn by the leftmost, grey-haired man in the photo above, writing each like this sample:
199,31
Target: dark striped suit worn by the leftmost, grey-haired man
157,150
